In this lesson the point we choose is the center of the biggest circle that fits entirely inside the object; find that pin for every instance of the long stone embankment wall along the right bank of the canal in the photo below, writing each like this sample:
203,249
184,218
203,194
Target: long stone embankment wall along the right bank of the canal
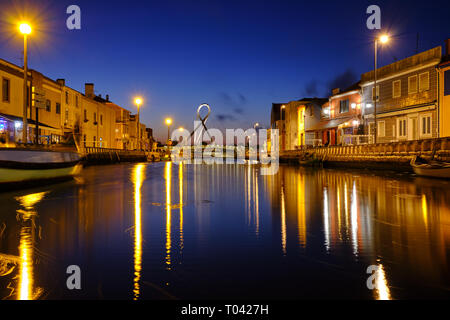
387,156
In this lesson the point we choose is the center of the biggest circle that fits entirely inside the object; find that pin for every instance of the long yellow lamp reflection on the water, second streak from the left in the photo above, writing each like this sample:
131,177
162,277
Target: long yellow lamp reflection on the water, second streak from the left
138,178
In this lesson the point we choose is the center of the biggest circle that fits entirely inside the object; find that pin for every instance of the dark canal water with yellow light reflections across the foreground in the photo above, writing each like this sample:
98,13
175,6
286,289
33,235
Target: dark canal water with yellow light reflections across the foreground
162,231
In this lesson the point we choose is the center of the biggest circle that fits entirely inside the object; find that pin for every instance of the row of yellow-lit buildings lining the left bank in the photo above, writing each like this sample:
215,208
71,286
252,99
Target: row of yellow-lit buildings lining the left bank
63,113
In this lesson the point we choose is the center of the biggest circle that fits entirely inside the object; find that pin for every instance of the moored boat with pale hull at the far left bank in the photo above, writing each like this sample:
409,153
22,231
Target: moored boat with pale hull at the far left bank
27,165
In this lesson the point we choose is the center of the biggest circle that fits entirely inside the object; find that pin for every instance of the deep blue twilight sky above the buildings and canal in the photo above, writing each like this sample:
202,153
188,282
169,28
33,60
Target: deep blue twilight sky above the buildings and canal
238,56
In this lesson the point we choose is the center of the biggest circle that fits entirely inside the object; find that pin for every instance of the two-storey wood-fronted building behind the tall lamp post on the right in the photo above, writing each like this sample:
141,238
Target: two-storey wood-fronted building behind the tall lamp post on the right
406,99
